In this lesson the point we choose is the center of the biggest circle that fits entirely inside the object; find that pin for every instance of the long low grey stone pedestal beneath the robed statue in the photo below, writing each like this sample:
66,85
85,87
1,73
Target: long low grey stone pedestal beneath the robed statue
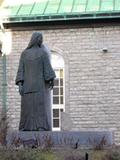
60,139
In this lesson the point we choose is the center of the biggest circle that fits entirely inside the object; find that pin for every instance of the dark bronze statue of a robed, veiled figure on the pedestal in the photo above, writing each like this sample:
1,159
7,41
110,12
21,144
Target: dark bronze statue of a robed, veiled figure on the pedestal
35,78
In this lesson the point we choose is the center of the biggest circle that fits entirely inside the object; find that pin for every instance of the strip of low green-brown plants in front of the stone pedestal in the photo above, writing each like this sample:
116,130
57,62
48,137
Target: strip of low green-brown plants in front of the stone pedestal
59,154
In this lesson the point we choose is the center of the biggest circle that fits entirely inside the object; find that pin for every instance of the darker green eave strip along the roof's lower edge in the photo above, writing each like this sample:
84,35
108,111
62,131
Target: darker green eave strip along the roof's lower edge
65,17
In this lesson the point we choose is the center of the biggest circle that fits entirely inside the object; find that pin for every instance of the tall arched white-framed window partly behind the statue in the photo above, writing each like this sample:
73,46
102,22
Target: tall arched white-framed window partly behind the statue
58,92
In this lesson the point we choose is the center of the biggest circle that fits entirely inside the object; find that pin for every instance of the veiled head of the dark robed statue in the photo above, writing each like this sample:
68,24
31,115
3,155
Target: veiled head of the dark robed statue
36,40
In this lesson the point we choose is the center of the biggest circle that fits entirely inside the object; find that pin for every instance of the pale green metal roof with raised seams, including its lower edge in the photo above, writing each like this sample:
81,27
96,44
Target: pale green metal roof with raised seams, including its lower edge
57,10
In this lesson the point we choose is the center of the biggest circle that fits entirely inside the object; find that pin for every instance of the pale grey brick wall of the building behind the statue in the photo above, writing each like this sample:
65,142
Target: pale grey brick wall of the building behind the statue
92,76
